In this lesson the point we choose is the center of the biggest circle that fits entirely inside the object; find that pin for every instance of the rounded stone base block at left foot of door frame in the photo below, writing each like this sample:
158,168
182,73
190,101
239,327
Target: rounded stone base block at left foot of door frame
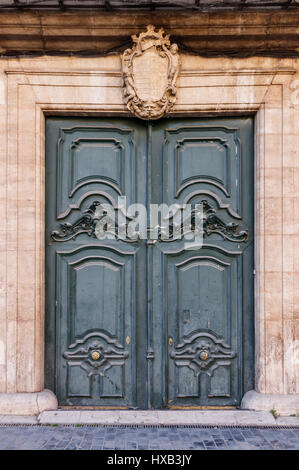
27,404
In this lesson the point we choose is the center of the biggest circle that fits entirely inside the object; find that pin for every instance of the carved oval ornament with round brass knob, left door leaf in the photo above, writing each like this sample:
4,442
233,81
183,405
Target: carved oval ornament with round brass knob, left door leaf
96,353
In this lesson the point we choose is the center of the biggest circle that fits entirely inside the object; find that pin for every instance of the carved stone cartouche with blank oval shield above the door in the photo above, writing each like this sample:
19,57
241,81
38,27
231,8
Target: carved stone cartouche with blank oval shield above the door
150,69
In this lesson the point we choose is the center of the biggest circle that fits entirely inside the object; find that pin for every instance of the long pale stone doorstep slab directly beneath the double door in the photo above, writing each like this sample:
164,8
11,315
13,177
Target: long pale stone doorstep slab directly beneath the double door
155,417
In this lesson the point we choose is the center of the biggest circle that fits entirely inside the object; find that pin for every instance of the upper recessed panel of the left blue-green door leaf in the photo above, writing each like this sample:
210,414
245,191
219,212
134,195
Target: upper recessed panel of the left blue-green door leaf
92,161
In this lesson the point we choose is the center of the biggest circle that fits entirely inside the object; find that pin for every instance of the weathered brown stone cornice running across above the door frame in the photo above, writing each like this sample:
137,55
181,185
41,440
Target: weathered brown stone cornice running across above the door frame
91,33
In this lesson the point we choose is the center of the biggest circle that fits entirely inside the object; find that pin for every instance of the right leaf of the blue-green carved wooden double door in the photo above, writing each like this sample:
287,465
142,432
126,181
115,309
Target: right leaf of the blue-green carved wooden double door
205,294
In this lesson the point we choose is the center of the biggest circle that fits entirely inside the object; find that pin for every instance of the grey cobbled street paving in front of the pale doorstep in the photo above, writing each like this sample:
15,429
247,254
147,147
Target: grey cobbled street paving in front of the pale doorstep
87,437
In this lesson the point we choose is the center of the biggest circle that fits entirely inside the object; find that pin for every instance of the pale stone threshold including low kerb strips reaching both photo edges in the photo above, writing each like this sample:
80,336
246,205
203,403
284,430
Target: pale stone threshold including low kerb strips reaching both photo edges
153,417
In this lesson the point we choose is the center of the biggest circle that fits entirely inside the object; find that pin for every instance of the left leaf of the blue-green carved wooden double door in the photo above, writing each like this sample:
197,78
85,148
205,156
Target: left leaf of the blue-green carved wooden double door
91,283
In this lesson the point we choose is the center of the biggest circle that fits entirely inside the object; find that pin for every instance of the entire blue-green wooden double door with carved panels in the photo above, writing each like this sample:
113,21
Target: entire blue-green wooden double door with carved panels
149,323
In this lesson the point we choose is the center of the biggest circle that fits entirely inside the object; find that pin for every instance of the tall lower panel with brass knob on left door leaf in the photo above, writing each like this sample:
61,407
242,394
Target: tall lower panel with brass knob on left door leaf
94,316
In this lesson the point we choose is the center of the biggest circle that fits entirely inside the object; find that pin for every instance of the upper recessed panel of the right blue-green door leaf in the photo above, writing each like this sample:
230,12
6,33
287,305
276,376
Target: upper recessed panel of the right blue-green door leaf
204,157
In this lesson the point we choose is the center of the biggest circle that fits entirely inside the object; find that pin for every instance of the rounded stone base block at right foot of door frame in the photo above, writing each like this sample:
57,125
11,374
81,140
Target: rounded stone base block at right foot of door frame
284,405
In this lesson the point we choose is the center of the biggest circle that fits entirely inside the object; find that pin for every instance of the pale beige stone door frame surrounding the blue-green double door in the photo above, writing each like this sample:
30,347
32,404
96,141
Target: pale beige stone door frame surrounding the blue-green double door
33,94
